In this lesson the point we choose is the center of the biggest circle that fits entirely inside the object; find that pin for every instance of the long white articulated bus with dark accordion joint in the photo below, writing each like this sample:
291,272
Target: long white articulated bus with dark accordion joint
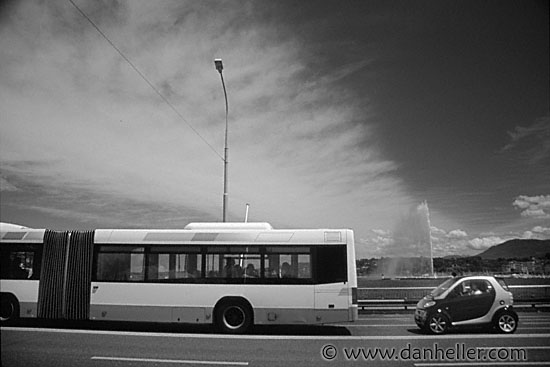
233,275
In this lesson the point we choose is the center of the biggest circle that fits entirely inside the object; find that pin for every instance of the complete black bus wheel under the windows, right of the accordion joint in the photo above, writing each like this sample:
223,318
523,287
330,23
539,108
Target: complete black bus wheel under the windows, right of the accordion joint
233,316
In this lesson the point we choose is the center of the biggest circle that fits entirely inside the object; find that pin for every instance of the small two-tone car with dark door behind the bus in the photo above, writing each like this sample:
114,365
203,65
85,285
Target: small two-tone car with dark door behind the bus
467,301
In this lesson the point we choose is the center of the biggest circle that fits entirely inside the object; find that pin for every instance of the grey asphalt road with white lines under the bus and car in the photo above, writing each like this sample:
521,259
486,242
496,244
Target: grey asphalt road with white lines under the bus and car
394,338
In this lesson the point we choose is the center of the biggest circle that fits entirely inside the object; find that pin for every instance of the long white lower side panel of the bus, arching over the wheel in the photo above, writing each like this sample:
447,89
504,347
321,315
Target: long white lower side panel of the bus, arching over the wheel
194,303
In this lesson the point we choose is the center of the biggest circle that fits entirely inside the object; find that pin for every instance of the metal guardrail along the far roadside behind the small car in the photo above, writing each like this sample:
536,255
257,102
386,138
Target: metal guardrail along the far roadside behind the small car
405,298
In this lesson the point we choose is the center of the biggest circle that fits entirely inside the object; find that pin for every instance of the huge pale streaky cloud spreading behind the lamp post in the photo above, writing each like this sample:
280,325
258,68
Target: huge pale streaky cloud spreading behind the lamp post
78,119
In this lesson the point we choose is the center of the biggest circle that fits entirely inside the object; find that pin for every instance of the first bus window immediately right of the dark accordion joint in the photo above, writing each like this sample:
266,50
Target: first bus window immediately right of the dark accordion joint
120,264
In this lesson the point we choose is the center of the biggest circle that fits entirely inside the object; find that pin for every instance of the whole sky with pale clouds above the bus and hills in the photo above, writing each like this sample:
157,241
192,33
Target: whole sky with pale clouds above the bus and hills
387,117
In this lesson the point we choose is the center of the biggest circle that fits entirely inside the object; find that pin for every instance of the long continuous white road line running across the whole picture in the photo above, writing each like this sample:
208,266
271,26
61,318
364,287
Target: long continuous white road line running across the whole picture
282,337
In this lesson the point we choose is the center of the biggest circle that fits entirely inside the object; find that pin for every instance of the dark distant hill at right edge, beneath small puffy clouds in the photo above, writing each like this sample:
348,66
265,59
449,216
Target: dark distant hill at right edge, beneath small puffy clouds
517,249
